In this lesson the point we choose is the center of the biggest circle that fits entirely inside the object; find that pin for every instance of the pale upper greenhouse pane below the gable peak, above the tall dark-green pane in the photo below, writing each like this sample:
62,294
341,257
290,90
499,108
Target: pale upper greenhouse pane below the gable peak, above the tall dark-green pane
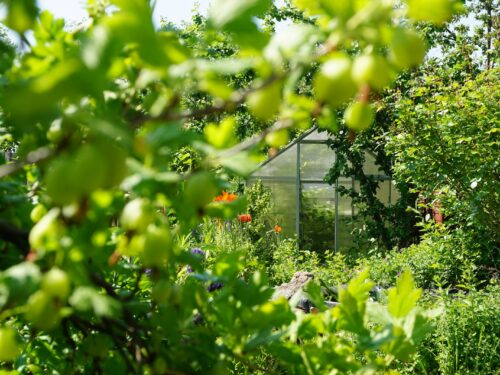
315,161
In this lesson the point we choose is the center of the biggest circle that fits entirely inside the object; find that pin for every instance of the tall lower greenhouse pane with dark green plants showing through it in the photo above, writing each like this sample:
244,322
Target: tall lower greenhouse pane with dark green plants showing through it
317,218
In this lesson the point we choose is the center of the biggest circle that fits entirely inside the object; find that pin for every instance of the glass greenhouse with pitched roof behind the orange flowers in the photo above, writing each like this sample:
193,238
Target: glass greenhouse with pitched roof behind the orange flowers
306,206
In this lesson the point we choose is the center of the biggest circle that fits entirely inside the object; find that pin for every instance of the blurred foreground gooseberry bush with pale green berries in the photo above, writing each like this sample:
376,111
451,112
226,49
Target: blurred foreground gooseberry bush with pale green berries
95,221
